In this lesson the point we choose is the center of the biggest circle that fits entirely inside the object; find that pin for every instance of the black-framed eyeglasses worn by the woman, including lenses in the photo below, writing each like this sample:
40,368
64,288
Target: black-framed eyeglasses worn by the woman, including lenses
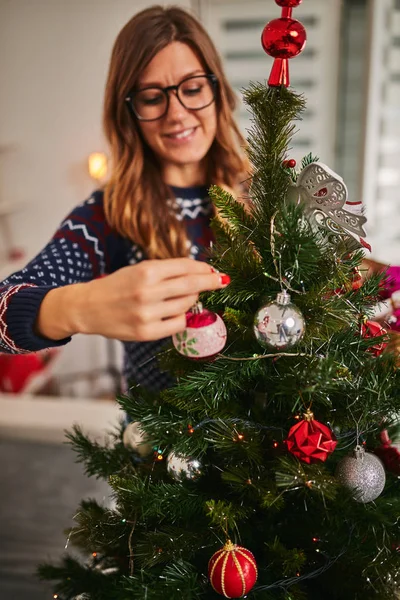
194,93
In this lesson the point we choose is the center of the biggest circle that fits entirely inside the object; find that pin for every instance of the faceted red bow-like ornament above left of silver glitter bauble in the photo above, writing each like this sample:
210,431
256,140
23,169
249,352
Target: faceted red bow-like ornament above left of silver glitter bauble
310,440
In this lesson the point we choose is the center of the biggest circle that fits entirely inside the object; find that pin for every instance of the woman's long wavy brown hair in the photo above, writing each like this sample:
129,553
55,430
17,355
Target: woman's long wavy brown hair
135,196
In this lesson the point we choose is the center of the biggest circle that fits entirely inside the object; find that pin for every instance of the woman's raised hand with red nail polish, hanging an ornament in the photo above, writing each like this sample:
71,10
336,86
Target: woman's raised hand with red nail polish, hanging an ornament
142,302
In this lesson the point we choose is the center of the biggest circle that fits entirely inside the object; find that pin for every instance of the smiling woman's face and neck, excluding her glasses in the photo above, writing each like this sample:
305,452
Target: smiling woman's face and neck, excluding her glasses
182,137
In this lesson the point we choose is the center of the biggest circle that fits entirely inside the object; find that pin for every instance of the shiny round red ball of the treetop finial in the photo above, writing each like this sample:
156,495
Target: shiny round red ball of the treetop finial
283,38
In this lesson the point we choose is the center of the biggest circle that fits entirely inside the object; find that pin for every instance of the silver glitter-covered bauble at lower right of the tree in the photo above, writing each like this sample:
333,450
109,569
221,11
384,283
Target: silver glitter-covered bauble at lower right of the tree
362,473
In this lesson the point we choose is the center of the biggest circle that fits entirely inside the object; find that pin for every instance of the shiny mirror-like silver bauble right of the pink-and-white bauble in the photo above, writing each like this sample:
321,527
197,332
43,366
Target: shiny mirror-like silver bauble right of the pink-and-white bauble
279,324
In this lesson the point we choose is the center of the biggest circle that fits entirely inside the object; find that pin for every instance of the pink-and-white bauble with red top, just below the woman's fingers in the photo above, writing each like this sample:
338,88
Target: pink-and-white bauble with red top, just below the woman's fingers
205,334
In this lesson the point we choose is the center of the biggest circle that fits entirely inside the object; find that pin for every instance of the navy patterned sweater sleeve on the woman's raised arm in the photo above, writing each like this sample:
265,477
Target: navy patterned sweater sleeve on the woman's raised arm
80,250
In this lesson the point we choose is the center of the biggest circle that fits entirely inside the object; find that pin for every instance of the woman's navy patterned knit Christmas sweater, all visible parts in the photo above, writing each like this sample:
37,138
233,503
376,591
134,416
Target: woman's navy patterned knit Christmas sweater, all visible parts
84,248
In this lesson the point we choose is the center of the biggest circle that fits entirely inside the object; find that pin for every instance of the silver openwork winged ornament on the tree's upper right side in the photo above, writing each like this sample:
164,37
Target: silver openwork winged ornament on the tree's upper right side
323,194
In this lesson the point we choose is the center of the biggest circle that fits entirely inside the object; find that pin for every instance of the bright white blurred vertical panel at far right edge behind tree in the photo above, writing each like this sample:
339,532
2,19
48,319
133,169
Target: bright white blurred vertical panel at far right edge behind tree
381,177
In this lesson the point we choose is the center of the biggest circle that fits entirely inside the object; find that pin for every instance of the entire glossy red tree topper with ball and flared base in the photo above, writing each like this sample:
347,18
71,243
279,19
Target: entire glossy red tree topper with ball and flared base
283,38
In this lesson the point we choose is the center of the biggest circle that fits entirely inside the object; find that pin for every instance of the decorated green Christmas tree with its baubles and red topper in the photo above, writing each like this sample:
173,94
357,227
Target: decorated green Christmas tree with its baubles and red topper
256,475
